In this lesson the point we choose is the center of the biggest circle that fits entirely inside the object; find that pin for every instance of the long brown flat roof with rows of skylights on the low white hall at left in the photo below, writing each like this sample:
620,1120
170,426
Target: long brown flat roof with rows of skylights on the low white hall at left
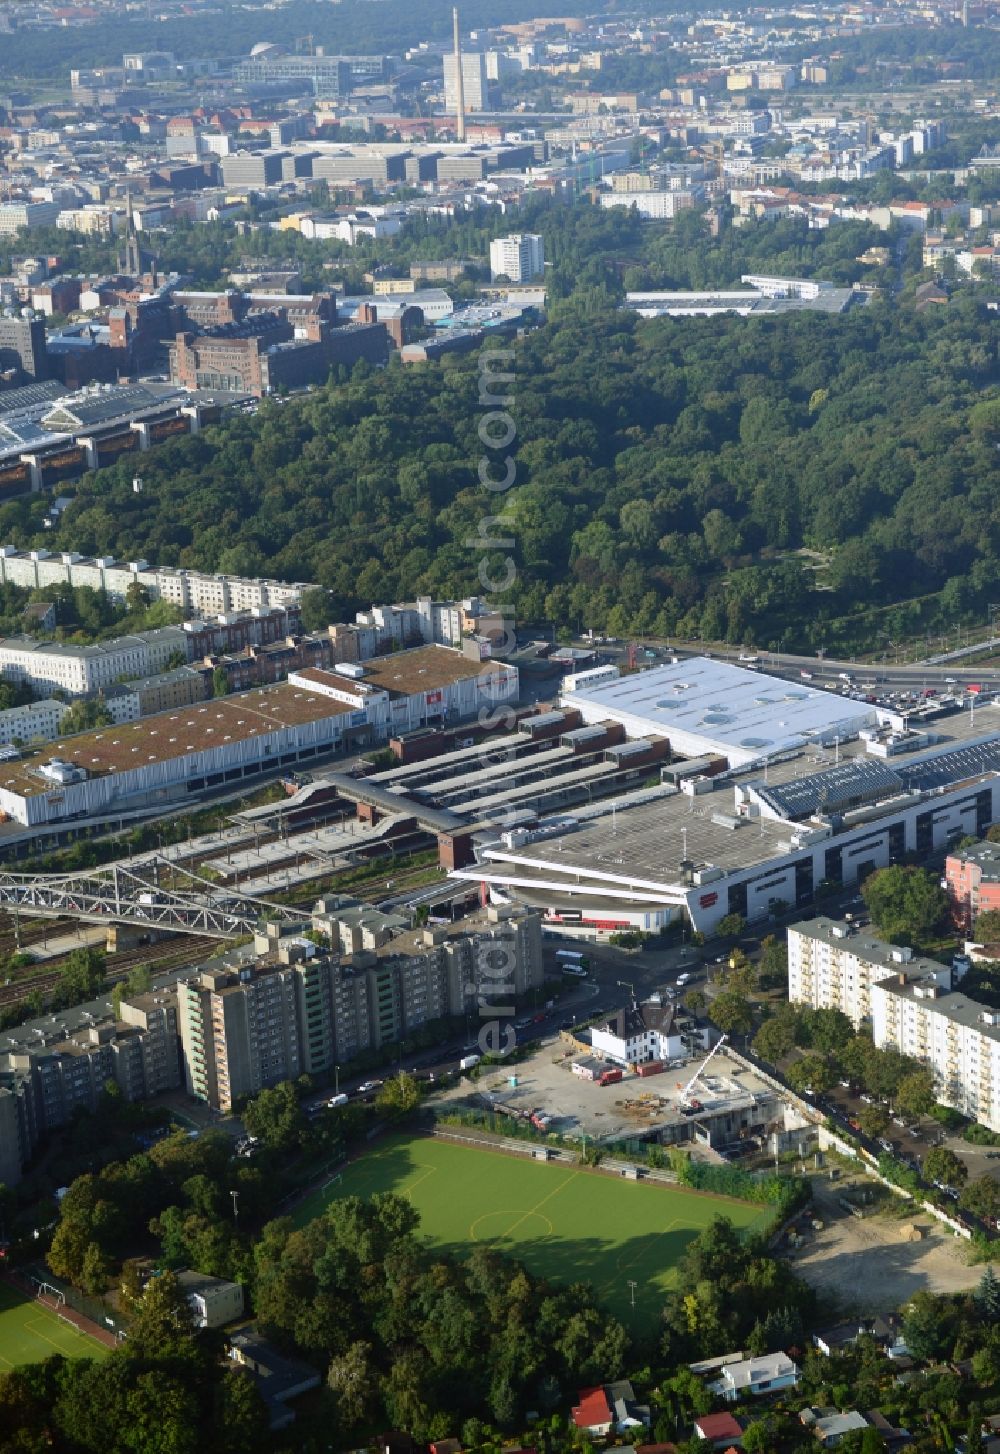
172,735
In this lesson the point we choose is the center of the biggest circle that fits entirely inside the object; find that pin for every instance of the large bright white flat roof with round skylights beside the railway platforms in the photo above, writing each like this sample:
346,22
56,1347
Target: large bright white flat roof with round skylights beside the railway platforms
711,707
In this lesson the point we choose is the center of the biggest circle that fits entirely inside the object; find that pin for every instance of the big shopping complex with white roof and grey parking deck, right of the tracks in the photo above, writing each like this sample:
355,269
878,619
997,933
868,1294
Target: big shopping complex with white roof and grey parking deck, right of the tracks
815,806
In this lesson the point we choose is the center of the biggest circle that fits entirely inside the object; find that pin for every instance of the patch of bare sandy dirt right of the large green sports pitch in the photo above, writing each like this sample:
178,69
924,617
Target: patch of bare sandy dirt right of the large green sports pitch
868,1264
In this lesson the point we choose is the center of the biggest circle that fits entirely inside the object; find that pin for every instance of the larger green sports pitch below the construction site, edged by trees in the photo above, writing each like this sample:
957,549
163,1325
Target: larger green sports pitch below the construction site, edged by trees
566,1224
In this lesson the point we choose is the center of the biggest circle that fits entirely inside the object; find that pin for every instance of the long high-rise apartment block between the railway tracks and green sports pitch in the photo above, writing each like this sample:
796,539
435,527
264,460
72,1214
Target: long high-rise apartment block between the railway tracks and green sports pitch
300,1010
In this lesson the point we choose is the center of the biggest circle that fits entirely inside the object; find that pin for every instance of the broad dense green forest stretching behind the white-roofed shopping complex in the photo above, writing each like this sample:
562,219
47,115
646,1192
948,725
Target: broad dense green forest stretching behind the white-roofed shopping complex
802,481
